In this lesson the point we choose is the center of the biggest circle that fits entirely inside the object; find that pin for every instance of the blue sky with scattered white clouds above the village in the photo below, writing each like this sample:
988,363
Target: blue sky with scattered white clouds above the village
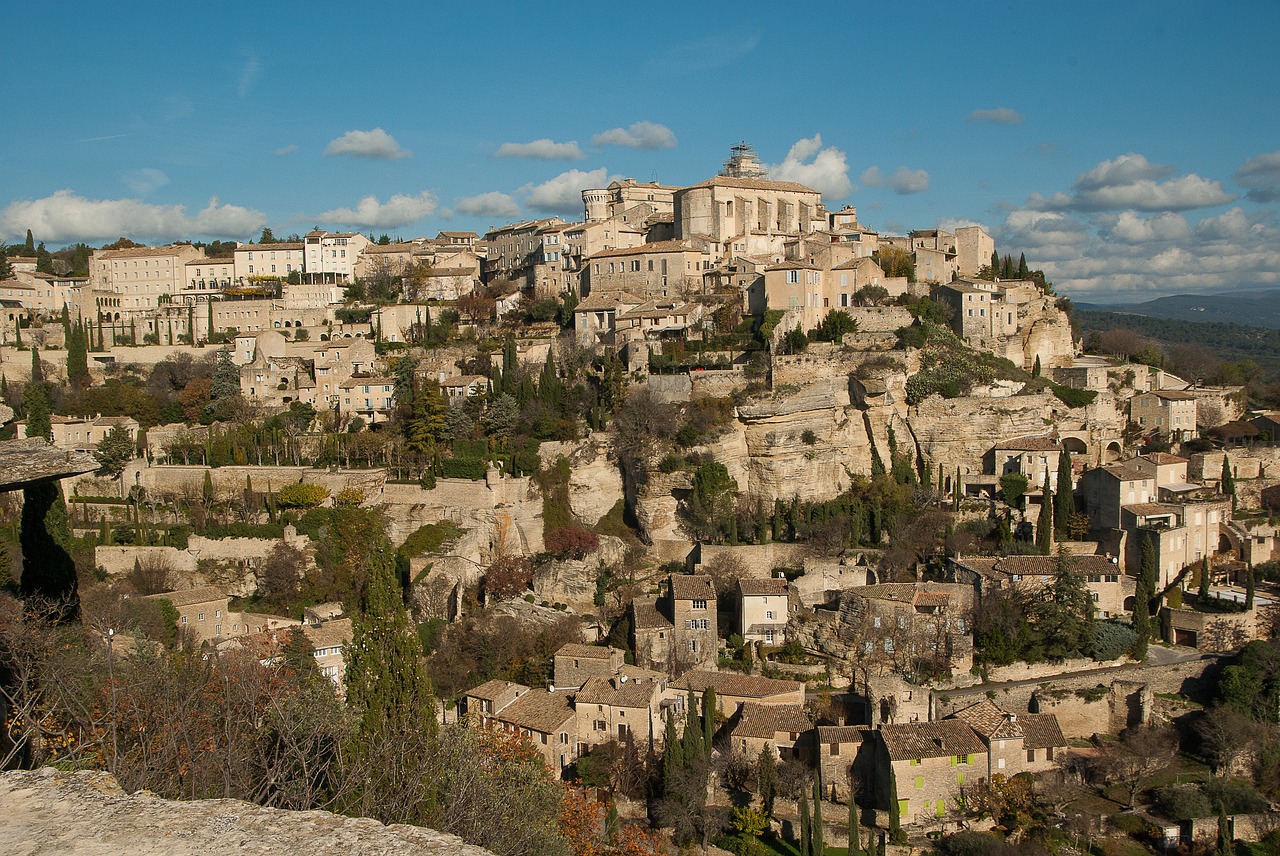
1128,149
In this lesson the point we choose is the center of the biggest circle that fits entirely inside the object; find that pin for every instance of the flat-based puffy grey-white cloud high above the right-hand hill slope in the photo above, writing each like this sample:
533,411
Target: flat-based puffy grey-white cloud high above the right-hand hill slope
1133,182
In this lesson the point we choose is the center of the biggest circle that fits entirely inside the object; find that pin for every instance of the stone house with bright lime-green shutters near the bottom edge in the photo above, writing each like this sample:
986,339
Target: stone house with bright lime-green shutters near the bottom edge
931,763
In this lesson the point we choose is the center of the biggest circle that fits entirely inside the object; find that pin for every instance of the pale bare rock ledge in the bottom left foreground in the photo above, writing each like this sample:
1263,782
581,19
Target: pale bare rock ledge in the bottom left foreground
52,812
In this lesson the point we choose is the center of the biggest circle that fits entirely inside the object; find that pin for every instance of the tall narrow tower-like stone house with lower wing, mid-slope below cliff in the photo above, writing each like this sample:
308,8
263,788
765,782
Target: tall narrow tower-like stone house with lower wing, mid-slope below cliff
678,631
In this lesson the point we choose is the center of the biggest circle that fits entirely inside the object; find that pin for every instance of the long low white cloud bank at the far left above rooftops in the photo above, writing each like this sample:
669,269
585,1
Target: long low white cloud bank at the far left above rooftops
67,217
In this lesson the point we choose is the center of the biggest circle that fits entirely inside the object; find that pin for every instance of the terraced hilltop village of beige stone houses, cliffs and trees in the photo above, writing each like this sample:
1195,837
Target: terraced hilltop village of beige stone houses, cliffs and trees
746,525
